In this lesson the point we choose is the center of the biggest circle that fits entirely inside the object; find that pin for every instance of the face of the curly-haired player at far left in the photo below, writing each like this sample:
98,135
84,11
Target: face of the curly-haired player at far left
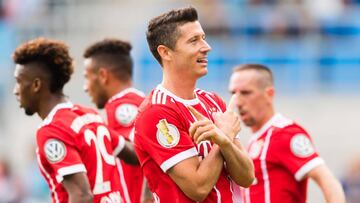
23,89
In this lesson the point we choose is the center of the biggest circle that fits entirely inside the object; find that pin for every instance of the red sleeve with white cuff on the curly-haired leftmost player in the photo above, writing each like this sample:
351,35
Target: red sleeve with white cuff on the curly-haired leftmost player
60,151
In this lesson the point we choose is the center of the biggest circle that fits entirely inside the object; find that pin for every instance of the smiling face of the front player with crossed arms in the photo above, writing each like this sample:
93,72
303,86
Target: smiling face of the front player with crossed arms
191,49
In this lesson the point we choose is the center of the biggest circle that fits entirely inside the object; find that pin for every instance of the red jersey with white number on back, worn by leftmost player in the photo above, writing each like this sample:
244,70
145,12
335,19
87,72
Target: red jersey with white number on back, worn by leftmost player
74,139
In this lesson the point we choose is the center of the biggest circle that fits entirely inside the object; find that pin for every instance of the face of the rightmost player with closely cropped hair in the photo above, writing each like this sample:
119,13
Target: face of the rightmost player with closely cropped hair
252,100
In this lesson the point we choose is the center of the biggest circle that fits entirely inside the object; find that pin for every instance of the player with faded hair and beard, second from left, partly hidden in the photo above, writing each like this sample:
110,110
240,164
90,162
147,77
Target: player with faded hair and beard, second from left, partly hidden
108,73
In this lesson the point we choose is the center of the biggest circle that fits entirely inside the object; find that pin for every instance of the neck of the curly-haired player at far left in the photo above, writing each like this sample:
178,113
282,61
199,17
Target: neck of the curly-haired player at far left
48,103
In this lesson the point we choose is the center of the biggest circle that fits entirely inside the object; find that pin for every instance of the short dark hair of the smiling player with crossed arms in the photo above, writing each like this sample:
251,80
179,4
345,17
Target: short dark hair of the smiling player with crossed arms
163,29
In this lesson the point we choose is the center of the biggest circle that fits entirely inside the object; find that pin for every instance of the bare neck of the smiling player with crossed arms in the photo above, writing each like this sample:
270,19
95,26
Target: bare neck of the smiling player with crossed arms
180,86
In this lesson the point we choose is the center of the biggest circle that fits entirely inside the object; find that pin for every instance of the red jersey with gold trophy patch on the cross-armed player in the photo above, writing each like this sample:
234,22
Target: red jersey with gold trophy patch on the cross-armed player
162,141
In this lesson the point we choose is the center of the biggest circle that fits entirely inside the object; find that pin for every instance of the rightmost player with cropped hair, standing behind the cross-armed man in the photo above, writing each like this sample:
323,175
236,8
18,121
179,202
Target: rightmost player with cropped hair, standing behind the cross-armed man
283,152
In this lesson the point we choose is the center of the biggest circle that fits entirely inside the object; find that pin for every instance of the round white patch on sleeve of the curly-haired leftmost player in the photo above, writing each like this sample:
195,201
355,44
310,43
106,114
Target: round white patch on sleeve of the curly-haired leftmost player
55,150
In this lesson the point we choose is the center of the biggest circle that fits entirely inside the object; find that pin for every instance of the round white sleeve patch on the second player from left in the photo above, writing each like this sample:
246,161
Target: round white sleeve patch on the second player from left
126,113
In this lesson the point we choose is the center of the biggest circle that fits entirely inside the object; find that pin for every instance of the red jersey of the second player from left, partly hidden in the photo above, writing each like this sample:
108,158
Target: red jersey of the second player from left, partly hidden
121,111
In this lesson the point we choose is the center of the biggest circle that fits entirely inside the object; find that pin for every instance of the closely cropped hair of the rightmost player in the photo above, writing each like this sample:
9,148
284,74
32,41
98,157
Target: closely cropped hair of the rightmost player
267,76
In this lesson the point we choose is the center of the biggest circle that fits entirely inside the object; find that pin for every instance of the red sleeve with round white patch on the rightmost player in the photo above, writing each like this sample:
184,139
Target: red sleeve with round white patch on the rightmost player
295,150
